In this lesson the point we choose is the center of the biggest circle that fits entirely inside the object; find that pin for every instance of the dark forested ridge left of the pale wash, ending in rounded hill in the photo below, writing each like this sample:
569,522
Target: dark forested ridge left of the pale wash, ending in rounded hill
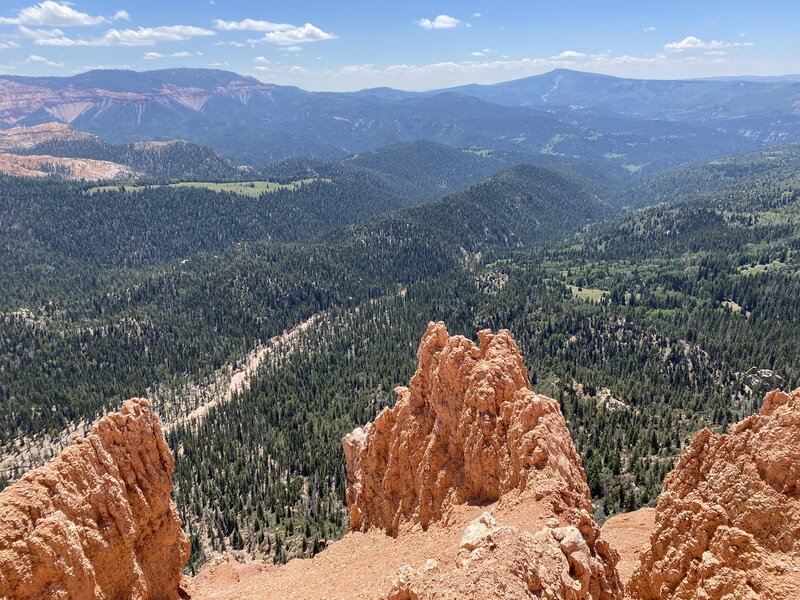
159,265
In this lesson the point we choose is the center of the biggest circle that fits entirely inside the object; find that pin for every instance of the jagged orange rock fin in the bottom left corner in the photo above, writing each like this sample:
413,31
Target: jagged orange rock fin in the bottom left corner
98,521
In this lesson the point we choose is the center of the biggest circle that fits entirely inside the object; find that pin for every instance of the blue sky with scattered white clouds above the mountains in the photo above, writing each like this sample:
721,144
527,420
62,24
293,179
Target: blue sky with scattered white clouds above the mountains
410,45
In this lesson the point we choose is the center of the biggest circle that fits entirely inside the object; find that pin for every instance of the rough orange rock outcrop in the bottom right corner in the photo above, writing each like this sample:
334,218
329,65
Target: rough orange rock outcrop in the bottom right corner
728,519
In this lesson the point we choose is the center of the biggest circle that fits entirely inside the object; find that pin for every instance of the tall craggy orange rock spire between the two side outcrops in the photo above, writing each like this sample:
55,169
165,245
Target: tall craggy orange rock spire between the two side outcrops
469,431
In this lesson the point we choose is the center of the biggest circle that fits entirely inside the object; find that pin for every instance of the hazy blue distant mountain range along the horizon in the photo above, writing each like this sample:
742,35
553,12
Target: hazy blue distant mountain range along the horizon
625,124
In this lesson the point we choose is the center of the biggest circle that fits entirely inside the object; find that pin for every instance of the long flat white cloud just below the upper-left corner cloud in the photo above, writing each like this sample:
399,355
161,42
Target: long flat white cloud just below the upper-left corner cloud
142,36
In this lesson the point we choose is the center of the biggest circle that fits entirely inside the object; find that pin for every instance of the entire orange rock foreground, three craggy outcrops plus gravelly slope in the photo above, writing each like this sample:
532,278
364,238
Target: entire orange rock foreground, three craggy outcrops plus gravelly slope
470,487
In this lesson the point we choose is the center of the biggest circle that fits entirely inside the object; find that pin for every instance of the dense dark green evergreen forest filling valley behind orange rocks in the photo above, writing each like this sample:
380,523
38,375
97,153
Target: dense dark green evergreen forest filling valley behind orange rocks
644,325
